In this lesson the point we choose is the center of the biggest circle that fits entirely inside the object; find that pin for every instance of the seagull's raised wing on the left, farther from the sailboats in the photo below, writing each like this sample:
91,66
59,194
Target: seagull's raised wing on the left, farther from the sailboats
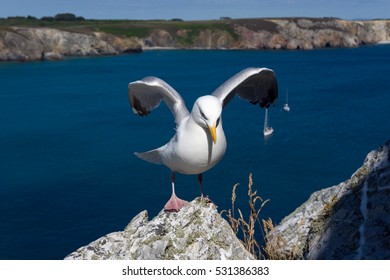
146,94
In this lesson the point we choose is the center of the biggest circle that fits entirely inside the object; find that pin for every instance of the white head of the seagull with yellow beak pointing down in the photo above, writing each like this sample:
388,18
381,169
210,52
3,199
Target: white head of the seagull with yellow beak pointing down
207,113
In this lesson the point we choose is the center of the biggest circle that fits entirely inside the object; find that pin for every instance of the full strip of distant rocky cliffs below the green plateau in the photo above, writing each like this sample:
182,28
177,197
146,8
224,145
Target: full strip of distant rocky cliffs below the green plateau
19,43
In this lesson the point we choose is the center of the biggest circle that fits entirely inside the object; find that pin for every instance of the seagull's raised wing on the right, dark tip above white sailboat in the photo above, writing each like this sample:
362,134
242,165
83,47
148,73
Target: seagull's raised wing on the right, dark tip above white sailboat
256,85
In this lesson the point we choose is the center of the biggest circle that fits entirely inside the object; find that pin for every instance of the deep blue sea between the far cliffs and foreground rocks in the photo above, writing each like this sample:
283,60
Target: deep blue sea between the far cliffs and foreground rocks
67,136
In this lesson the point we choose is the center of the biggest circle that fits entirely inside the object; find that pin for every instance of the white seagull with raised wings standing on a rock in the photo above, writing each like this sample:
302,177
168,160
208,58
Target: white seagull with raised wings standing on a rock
199,142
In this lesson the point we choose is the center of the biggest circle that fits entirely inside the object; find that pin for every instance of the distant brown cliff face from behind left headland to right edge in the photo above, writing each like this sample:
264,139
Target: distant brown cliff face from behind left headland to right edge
294,33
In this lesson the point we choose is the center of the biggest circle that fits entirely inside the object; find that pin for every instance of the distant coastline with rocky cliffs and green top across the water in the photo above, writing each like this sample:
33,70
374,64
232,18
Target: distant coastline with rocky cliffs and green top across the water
30,39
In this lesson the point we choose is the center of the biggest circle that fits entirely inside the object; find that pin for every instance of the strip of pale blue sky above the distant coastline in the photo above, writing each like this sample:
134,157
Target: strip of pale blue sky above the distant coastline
198,9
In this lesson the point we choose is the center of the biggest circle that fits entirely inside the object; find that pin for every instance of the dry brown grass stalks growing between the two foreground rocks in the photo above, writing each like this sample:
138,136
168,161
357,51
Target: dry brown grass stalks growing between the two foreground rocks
275,247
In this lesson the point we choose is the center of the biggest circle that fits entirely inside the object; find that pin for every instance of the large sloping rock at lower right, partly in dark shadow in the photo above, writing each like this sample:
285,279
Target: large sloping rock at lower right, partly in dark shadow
347,221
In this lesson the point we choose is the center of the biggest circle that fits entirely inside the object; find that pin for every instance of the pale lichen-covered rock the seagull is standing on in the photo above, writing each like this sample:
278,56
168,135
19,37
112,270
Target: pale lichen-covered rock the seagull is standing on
196,232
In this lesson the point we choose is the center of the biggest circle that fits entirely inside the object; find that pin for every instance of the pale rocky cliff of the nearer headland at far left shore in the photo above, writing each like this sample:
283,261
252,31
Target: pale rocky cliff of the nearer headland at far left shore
25,44
